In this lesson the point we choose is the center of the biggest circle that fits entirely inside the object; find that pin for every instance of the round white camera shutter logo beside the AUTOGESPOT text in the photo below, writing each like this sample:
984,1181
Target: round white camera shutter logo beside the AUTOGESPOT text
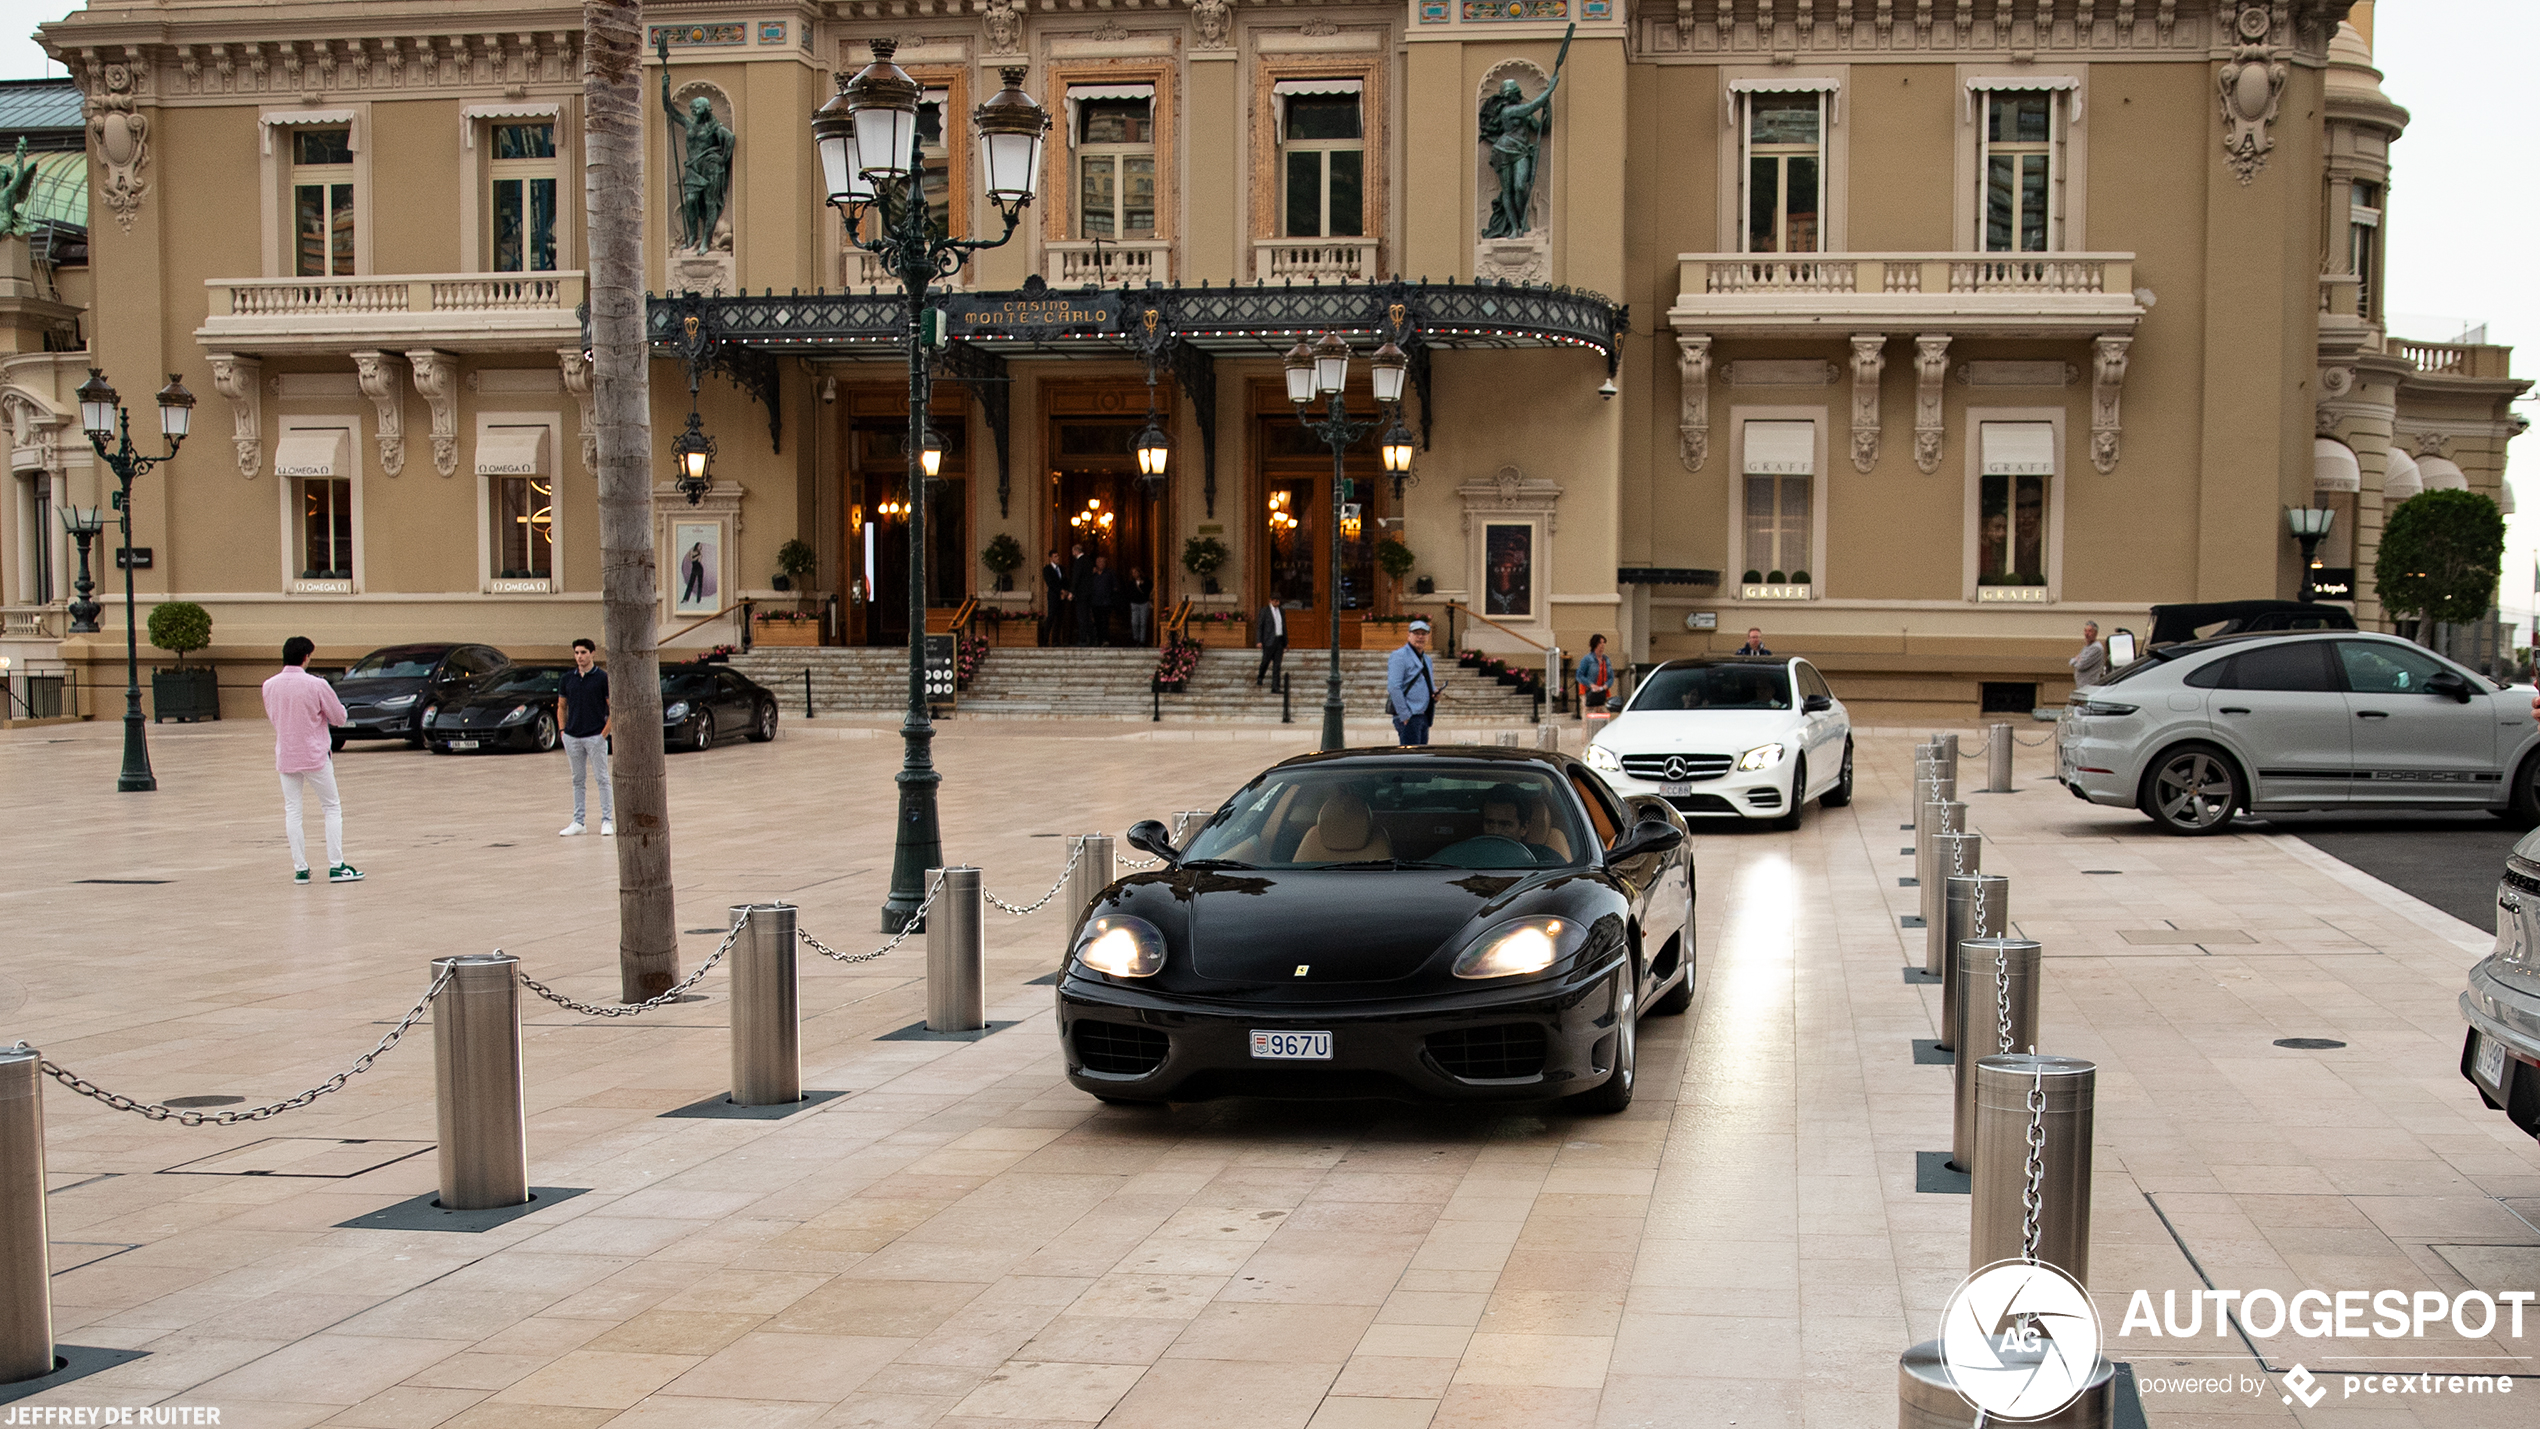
2021,1341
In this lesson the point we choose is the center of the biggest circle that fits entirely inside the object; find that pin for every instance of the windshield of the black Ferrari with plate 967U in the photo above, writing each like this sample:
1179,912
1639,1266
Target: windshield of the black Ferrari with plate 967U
1406,816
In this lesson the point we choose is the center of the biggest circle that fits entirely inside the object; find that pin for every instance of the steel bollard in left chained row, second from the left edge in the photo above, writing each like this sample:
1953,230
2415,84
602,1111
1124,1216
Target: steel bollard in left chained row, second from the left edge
476,1075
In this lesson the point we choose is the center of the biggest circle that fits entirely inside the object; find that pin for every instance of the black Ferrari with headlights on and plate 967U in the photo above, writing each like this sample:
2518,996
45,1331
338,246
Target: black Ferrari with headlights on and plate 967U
1477,925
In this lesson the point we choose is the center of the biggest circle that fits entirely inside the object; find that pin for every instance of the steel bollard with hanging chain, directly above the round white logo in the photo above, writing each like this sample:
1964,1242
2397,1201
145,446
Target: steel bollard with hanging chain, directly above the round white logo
2064,1187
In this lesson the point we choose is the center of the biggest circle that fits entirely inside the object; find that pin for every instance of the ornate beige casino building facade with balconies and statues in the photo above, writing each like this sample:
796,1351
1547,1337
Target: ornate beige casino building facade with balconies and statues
1909,334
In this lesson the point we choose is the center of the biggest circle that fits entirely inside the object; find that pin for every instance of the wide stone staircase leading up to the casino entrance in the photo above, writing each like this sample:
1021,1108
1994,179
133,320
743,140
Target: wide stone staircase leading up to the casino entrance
1114,684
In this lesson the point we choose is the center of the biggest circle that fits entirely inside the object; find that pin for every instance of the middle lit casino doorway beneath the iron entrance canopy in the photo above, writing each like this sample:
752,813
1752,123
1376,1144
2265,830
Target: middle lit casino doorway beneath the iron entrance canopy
1096,501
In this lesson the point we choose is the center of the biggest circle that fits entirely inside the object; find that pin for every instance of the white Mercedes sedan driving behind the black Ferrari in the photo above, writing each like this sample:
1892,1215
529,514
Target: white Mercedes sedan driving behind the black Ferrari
1741,737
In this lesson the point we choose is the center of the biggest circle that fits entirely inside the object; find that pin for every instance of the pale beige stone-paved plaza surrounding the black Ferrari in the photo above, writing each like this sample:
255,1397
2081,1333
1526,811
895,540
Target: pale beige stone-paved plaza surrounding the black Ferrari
969,1242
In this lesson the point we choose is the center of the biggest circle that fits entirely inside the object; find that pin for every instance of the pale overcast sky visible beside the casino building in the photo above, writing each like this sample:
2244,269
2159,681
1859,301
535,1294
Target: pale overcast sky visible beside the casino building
2460,222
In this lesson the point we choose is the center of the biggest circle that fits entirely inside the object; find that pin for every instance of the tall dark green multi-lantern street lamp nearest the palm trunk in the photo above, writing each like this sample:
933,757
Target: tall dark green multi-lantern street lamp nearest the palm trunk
870,148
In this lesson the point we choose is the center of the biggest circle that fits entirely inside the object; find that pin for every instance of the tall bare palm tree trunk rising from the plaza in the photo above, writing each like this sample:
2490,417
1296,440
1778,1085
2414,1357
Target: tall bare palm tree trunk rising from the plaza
621,402
